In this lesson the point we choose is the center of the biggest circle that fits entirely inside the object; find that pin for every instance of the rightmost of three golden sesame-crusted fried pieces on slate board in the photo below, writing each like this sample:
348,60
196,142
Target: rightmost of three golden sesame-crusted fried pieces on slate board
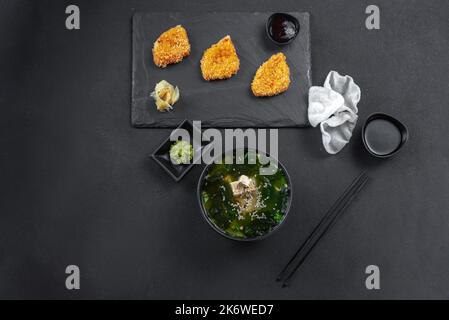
272,77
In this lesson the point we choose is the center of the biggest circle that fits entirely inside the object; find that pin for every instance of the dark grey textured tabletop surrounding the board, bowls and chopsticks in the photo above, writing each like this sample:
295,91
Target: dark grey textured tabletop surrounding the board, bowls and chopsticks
77,187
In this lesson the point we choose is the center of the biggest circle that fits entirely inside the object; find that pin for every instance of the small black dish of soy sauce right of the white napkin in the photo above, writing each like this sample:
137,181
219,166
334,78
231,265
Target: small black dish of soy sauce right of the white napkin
383,135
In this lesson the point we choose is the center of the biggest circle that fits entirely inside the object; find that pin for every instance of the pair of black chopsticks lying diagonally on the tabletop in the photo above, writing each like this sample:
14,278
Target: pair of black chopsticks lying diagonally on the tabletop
322,228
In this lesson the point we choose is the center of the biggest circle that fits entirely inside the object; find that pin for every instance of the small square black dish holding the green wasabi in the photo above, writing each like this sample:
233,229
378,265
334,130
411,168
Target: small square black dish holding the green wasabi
162,154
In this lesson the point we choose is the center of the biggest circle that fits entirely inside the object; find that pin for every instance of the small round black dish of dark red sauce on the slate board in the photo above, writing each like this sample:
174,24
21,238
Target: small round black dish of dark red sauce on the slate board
282,28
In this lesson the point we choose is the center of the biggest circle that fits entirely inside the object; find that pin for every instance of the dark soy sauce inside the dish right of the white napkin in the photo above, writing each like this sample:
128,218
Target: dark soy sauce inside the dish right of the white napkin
382,136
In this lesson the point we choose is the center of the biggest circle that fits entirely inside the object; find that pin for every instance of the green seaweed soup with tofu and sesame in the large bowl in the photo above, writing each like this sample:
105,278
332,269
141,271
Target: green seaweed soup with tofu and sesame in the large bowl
248,215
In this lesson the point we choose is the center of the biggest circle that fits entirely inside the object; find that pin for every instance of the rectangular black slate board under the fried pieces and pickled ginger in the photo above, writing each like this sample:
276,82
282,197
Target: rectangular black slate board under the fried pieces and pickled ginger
225,103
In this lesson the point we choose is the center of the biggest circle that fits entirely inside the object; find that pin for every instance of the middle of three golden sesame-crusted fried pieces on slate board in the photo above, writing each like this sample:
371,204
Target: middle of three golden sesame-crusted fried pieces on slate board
220,61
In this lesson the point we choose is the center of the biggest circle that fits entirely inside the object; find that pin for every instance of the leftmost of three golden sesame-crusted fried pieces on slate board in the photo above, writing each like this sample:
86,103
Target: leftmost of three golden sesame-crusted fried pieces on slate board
171,47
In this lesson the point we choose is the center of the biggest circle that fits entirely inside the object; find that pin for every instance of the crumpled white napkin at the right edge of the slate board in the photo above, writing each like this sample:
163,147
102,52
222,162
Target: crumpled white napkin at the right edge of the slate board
334,106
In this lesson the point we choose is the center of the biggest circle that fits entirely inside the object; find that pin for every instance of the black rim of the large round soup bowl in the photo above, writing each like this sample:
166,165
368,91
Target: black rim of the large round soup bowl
222,232
